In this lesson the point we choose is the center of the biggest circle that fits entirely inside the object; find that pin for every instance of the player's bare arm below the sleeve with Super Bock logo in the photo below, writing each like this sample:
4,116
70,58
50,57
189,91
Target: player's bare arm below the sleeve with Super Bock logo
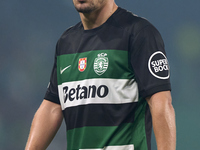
163,118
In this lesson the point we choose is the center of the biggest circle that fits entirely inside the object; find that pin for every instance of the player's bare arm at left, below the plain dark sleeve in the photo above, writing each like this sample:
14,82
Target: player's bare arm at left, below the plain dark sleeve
45,125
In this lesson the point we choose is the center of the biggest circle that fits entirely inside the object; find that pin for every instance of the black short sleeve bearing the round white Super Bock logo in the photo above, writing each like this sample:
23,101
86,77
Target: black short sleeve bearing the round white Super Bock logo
149,61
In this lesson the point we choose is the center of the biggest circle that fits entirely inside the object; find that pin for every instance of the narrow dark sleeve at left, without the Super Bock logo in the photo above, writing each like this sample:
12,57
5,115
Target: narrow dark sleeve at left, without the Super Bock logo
52,89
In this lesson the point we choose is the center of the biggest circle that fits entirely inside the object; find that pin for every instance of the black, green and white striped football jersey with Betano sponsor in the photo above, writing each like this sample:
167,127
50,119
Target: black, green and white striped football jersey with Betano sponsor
101,78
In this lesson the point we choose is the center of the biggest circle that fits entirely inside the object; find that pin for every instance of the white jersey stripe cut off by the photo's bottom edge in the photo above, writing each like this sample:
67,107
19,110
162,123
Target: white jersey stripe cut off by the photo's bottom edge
122,147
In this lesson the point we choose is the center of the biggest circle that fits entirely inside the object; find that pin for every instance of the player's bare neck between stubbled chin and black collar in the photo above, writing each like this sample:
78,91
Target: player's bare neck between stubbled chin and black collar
96,18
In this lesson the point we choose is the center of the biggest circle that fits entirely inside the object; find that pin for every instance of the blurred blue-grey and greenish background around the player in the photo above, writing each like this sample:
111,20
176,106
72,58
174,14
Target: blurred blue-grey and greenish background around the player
29,31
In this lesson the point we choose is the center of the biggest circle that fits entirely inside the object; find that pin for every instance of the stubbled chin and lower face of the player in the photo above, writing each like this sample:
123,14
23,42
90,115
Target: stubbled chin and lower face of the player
87,6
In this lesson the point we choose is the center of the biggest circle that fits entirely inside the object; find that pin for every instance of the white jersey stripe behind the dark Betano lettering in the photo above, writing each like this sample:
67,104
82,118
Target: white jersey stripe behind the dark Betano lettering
120,91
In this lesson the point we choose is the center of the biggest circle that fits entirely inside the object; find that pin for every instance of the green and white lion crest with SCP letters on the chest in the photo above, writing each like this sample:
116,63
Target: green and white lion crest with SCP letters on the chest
101,63
